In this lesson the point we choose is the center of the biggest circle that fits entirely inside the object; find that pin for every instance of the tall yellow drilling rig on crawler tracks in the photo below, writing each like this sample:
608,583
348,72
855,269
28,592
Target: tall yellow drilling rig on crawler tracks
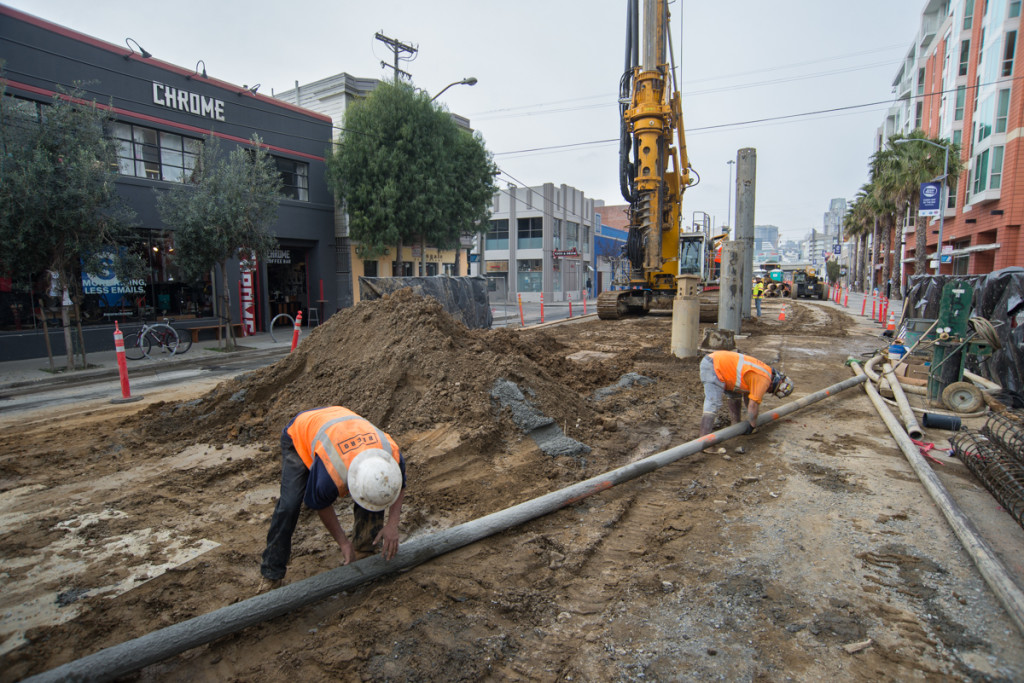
654,174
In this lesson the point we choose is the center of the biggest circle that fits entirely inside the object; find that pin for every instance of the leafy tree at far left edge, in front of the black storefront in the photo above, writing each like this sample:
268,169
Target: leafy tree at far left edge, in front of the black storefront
60,209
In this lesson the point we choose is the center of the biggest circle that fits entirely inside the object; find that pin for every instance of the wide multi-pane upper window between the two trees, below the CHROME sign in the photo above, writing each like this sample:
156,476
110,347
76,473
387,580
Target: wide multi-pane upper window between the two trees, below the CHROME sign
147,153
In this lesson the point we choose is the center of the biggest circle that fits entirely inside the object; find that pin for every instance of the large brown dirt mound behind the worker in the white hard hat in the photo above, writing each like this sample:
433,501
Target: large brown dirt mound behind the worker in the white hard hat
401,362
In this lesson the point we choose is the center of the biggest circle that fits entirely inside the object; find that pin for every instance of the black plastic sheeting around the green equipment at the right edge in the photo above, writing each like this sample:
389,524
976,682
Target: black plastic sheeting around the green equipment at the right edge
999,297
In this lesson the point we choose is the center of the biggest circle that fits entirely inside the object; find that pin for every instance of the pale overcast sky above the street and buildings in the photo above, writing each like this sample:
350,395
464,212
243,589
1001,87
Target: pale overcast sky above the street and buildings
549,73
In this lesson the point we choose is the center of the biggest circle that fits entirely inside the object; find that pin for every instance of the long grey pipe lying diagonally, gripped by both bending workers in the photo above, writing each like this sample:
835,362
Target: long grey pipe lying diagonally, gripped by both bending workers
145,651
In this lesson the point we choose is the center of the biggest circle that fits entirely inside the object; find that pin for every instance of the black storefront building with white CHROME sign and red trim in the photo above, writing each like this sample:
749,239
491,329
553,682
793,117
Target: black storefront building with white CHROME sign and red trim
163,112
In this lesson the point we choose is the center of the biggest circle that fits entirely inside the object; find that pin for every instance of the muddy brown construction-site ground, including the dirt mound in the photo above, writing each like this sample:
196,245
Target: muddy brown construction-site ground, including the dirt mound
761,564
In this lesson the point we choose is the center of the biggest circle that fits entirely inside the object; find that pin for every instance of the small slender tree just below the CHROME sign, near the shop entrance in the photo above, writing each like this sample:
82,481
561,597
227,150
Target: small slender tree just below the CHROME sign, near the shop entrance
225,211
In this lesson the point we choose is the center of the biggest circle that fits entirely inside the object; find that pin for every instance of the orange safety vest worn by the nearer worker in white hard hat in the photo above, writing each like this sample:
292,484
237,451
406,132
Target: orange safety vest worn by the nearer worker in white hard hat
336,436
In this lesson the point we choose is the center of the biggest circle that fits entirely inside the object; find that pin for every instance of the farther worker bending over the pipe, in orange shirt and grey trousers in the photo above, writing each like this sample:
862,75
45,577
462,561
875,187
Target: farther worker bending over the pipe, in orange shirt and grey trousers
738,374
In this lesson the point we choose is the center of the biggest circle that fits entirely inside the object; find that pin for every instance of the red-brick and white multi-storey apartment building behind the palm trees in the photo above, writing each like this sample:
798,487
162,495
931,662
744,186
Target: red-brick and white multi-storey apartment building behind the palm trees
959,81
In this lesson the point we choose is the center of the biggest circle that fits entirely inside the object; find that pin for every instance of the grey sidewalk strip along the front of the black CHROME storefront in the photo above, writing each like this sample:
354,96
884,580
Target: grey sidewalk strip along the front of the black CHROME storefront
104,365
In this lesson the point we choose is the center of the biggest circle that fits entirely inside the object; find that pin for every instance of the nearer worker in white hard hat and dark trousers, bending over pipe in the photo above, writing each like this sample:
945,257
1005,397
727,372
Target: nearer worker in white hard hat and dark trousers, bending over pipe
327,453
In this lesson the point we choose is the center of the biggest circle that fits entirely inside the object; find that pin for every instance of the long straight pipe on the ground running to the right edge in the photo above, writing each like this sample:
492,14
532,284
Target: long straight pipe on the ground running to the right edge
992,569
